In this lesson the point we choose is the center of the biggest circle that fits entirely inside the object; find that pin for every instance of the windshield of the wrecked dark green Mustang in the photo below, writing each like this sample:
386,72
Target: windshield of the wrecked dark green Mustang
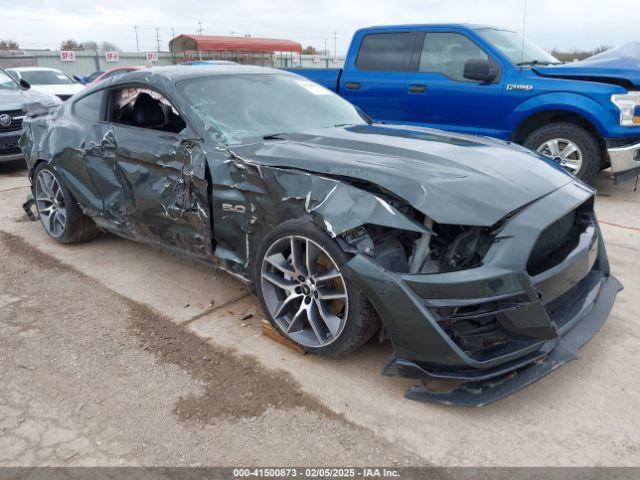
240,108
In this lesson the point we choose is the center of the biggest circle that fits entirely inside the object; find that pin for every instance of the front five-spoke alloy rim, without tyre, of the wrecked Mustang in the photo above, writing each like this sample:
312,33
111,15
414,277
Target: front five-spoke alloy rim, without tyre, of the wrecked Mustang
304,291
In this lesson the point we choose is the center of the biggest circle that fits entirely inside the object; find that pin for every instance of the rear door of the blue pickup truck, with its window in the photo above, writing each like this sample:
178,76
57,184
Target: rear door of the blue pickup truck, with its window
375,78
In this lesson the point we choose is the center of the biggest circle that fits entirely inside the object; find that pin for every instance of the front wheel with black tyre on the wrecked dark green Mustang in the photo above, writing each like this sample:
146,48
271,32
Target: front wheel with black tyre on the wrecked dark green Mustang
304,294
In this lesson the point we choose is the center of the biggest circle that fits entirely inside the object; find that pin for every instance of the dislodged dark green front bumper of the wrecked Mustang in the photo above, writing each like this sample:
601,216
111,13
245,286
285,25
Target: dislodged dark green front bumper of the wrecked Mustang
489,331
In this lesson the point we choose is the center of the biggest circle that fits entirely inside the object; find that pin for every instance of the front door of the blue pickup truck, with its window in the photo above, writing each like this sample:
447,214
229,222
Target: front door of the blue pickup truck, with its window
439,96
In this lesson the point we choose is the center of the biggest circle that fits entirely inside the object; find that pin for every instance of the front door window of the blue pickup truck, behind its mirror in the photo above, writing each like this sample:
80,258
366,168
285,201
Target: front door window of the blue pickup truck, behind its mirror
447,53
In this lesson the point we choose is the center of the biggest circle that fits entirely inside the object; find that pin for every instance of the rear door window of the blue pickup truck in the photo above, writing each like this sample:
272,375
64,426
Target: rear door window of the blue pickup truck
385,52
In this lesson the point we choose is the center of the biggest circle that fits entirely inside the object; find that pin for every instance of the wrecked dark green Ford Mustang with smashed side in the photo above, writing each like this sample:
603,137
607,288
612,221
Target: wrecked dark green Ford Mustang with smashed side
481,261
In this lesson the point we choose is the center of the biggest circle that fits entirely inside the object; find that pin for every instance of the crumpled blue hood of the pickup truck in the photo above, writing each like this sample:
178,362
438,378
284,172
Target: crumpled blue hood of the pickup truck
618,64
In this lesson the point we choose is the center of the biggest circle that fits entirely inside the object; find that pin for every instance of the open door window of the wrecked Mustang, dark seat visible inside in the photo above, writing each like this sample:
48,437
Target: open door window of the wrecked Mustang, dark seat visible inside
144,108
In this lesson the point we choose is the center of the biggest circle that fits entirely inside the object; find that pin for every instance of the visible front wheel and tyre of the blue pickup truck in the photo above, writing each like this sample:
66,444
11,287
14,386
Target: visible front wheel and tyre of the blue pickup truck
571,146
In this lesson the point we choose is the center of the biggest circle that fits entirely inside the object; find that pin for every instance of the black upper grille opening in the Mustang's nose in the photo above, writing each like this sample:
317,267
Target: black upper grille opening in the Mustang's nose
559,239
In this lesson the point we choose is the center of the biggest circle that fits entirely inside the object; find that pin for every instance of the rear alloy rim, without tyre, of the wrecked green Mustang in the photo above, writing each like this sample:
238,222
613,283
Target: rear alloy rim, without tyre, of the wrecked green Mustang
50,204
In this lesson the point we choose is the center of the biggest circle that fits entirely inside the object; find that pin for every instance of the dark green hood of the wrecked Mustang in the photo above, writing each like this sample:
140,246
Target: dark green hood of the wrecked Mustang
455,179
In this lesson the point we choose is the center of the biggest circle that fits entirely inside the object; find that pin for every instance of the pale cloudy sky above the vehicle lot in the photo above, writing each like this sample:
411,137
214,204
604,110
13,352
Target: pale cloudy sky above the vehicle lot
563,24
